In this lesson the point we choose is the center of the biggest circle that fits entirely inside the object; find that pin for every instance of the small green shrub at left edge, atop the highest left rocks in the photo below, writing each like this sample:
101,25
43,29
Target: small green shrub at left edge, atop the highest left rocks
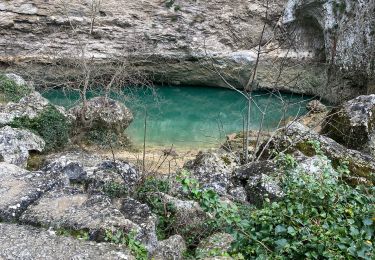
10,91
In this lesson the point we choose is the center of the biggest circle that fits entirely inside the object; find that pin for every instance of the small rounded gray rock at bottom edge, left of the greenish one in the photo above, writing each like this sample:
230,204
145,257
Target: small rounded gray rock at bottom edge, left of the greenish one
170,249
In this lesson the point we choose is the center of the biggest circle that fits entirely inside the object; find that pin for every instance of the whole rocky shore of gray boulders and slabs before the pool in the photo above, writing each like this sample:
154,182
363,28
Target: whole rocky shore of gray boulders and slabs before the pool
77,204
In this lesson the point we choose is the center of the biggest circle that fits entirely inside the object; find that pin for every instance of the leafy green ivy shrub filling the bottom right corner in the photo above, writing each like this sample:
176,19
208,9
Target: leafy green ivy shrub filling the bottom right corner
319,217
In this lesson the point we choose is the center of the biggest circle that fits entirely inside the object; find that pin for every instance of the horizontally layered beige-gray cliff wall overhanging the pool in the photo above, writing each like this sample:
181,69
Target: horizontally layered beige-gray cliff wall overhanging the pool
174,41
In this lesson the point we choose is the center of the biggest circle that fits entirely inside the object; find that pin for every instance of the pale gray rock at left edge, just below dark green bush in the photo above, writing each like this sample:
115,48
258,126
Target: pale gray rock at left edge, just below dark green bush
15,145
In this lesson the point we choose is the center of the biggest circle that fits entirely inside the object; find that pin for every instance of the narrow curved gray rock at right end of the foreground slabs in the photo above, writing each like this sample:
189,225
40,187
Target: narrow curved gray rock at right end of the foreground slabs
141,215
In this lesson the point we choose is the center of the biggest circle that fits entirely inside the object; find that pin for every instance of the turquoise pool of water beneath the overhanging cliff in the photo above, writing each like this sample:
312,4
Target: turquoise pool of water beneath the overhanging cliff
195,116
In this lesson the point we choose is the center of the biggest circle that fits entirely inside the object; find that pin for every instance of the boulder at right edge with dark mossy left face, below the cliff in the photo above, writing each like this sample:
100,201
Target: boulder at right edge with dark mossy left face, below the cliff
353,124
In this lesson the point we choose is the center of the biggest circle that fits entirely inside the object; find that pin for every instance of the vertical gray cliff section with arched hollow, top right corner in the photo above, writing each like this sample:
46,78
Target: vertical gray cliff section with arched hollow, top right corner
343,32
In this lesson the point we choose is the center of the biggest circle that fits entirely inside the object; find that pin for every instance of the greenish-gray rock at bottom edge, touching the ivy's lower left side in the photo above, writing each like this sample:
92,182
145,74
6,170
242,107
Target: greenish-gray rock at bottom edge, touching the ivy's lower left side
215,245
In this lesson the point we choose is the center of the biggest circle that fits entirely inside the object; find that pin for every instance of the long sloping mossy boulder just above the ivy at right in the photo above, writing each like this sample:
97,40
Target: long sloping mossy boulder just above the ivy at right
297,137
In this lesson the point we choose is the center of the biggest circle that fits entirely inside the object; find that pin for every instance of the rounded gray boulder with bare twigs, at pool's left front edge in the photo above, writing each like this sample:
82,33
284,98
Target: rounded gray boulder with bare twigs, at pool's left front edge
101,112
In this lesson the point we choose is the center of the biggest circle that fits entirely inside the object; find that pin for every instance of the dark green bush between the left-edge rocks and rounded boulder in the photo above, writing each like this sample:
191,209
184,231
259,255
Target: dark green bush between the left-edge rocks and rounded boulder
50,124
